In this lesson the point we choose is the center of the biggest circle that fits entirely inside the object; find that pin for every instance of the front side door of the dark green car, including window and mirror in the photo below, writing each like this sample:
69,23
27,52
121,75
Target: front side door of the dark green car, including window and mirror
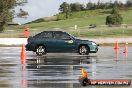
63,42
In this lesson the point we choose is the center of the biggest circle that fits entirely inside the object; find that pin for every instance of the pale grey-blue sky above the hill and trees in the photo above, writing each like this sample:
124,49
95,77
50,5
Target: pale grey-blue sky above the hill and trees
45,8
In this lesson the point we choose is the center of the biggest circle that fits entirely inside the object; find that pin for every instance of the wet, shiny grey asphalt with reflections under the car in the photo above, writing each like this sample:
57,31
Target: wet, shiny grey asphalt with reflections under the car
62,70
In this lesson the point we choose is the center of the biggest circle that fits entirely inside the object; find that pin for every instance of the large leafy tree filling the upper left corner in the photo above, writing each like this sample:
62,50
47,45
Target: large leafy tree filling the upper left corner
7,11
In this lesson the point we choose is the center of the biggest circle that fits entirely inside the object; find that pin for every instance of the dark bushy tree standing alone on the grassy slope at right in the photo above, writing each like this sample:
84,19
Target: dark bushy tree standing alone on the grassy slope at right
115,18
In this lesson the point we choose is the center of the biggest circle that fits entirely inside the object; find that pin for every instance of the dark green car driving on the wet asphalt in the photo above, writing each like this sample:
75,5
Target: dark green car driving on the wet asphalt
59,41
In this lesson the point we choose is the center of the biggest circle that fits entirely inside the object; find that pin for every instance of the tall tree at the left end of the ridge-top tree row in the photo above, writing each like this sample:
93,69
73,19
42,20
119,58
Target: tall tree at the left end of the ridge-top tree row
65,8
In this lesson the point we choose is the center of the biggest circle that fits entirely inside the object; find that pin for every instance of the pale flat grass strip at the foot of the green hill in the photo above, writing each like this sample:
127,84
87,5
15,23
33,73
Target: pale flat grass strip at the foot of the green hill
100,31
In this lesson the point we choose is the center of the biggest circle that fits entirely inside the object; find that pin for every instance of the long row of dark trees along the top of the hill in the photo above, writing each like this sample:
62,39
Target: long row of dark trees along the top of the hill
73,7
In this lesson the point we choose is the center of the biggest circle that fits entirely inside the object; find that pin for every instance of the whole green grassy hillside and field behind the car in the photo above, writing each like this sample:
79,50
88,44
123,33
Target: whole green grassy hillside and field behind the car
83,20
